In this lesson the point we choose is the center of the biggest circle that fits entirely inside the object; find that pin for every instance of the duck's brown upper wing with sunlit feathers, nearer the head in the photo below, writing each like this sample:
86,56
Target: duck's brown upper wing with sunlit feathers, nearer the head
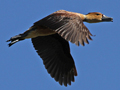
68,25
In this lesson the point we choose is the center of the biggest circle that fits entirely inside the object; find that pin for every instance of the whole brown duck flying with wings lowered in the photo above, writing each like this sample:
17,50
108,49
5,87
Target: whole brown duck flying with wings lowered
51,35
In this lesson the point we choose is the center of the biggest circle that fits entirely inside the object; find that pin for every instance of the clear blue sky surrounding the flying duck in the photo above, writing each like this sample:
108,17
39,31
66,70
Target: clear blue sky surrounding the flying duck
98,64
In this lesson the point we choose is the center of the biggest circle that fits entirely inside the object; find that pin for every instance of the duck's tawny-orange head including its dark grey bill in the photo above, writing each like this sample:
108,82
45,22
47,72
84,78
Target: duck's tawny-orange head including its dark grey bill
95,17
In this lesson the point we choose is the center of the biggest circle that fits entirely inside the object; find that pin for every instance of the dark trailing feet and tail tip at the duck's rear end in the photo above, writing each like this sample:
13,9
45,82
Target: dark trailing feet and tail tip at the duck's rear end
15,39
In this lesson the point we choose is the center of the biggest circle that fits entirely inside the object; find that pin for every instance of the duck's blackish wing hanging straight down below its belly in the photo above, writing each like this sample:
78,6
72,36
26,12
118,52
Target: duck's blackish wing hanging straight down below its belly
56,56
